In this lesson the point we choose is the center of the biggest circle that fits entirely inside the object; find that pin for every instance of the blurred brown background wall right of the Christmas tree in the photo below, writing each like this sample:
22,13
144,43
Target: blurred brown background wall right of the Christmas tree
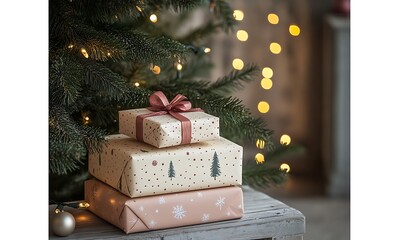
309,96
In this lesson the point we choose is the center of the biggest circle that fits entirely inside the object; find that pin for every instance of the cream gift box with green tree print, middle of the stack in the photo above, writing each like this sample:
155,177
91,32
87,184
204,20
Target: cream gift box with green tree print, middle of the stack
138,169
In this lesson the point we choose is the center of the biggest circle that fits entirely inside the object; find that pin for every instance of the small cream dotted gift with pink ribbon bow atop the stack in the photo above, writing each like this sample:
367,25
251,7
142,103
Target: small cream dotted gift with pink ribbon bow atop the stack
166,124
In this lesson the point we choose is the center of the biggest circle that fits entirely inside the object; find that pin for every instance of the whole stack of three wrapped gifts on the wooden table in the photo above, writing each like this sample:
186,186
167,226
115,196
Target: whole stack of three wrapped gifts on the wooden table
168,167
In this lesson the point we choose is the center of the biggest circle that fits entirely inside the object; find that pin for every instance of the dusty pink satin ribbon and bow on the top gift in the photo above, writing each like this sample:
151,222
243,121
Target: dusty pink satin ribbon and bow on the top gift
161,106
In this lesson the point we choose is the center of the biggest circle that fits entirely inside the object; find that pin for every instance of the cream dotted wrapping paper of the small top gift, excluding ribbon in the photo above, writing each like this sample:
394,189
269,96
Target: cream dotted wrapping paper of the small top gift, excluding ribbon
165,131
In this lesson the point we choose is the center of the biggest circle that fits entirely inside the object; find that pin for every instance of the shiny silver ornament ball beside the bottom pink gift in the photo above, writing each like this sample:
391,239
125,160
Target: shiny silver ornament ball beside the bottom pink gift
63,224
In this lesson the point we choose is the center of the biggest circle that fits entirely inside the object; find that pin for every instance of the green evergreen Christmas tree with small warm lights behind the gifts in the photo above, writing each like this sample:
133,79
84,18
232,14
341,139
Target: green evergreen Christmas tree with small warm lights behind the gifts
106,56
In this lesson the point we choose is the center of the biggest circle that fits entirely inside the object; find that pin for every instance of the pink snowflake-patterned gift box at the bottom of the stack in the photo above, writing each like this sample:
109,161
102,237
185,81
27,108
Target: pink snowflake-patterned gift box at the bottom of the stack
163,211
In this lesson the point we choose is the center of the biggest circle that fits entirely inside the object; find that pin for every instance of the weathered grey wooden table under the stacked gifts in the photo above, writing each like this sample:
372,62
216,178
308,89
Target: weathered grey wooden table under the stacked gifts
264,218
